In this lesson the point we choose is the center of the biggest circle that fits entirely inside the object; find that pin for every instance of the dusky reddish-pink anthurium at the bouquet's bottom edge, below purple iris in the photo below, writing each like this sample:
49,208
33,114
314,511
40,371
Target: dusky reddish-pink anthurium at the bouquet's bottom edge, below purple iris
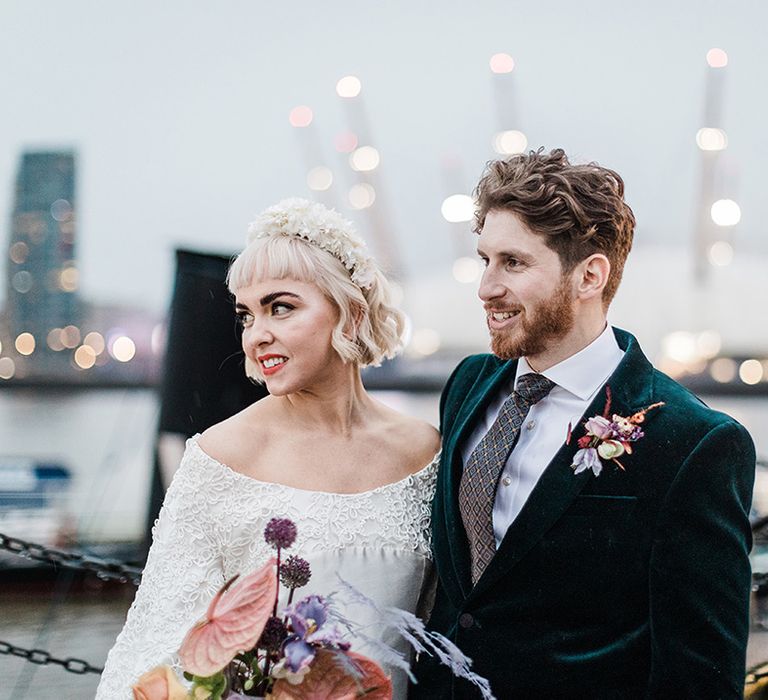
328,678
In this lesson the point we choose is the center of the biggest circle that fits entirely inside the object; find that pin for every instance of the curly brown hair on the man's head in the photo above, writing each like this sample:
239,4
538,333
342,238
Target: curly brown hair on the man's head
579,209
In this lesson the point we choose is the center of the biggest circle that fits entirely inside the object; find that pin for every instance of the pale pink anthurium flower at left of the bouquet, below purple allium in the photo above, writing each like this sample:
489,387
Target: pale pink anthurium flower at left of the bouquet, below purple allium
234,622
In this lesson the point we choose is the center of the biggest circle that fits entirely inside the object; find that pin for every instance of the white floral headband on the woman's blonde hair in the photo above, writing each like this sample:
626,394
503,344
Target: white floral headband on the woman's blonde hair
323,227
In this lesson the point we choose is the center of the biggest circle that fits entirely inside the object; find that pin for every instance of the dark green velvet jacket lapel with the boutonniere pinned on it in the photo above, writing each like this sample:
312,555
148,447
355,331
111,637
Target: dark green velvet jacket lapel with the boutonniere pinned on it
558,486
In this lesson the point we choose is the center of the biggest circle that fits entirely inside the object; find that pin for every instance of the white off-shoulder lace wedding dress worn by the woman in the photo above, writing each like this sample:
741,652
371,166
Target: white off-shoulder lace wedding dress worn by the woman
211,528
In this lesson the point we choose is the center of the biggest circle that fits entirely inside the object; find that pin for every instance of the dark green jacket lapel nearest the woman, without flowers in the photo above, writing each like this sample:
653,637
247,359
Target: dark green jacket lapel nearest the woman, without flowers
488,383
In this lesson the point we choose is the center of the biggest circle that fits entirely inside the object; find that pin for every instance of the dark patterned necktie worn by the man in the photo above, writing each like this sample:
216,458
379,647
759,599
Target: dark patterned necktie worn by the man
477,490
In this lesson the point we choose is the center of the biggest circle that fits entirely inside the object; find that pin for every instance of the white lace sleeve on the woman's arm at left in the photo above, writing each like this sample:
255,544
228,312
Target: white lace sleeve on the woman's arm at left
183,572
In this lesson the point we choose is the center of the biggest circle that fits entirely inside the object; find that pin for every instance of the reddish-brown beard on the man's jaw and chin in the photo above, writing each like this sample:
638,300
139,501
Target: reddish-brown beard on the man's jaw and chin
540,326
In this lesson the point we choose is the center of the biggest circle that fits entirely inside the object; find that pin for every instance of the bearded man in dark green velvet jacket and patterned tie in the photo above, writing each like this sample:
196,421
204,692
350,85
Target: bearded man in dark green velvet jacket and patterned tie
590,523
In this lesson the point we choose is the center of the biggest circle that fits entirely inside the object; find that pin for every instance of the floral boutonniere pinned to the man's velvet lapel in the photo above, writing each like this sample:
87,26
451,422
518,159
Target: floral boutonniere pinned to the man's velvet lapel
608,438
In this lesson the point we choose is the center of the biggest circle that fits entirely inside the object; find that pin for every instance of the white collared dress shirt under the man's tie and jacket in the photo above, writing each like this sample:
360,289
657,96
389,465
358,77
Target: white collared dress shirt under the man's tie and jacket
577,380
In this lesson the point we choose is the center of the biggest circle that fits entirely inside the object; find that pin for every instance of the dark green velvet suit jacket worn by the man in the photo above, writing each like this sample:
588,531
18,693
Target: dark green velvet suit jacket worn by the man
632,584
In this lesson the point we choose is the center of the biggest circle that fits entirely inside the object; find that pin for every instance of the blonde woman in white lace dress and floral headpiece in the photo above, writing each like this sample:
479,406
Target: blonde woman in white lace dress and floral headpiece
354,475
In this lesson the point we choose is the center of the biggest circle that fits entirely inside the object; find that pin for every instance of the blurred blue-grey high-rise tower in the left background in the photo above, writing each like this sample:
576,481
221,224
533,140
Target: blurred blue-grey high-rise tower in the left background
42,278
